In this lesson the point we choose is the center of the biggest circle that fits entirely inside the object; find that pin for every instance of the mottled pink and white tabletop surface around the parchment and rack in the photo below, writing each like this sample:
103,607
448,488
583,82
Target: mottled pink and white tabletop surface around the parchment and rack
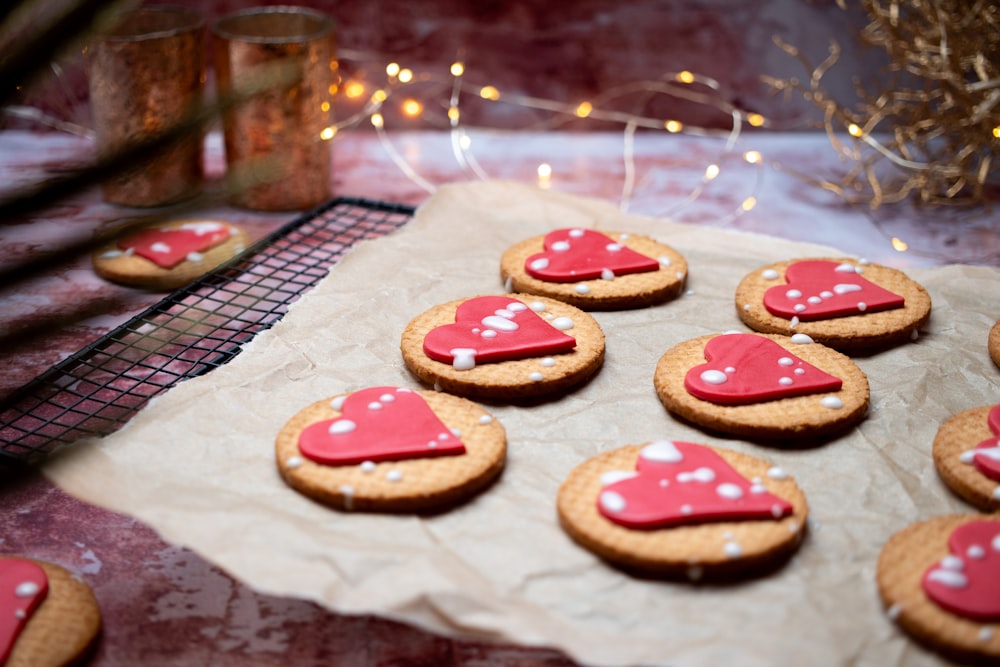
165,605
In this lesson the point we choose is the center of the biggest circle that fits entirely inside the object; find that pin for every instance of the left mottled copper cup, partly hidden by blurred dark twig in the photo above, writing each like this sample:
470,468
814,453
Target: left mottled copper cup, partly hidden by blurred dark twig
146,73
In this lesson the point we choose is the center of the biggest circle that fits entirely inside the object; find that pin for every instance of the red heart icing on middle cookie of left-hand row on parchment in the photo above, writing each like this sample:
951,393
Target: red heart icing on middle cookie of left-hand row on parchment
496,328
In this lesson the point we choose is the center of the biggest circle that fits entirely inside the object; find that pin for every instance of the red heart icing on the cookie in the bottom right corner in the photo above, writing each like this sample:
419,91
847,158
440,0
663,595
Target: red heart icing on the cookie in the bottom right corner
967,581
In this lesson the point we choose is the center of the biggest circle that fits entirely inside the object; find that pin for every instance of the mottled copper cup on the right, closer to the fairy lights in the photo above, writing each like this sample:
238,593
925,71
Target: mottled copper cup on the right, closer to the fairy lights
277,156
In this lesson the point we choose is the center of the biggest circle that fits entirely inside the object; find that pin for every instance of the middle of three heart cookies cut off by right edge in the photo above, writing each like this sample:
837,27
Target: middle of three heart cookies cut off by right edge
953,452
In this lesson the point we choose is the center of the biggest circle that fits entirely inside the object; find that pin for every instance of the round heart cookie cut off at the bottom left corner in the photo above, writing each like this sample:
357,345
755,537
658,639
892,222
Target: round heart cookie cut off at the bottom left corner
61,619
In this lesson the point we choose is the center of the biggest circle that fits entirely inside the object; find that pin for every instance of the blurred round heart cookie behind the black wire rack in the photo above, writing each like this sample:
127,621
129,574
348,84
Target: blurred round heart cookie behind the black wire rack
168,255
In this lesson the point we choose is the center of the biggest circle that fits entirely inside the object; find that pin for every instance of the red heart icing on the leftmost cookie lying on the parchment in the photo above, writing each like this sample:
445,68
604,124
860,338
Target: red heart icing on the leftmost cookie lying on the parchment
379,424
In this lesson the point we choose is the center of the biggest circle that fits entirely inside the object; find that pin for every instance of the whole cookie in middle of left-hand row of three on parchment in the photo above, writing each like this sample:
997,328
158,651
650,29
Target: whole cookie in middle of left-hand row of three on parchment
505,347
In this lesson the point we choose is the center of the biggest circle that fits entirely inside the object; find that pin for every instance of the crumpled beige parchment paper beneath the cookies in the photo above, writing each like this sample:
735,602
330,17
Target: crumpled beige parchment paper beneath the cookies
197,464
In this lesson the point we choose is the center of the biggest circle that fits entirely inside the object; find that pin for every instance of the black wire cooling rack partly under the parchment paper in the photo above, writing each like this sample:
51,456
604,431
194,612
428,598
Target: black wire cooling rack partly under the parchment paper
190,332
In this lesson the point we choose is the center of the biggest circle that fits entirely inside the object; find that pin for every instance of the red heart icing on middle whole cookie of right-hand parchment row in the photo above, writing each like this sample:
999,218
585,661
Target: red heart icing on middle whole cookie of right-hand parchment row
746,368
